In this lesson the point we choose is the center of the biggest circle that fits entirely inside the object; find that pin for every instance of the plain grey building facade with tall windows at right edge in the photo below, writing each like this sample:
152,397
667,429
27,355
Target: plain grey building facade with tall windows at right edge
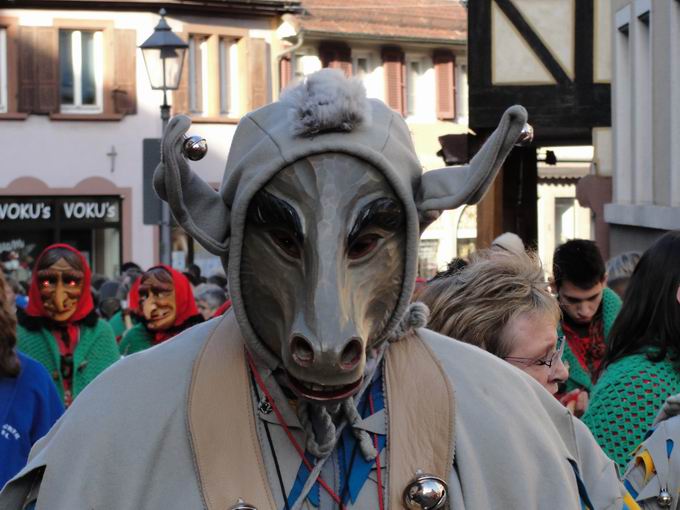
646,122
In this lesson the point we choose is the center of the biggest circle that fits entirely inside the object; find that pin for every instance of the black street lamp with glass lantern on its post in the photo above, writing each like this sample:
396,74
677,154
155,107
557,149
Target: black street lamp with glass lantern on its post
163,54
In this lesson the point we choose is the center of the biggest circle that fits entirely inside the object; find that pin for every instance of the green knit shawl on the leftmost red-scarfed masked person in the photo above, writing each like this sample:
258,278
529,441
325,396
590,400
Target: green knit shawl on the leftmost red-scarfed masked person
95,351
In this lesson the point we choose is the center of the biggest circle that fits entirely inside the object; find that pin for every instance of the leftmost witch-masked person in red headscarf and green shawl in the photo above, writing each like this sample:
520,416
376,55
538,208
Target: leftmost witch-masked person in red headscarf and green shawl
60,327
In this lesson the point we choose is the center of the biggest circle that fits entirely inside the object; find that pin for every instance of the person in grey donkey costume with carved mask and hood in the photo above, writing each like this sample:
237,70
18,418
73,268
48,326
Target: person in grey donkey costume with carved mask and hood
320,388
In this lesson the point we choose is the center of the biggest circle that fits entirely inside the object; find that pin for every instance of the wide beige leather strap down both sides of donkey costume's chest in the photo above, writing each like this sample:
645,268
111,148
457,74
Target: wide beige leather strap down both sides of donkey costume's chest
222,421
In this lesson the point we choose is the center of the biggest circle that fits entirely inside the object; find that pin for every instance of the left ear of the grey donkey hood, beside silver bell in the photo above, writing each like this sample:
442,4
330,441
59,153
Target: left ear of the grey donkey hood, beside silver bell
197,207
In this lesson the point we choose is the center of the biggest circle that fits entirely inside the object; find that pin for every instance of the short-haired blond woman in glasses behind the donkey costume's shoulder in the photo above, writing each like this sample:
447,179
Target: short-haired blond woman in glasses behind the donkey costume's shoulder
501,303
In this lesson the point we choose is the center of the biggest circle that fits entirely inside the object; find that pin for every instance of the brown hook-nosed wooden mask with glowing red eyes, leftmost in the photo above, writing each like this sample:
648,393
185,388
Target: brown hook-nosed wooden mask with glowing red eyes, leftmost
60,287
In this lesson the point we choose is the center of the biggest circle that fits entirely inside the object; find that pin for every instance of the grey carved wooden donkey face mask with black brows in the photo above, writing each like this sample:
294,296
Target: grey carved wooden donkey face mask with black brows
322,269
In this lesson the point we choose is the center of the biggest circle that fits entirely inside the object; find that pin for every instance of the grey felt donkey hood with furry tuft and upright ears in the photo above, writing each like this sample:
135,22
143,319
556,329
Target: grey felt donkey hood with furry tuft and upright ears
325,113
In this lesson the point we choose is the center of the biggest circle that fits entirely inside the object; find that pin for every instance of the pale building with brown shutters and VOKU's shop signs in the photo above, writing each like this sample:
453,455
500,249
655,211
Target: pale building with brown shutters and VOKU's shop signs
76,110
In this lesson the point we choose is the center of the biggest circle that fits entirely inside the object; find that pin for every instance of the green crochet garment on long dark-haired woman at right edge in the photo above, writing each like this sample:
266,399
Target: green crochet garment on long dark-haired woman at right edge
625,401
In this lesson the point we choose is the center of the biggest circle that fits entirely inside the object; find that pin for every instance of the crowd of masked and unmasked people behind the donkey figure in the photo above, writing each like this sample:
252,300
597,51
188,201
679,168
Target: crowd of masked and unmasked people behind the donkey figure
612,364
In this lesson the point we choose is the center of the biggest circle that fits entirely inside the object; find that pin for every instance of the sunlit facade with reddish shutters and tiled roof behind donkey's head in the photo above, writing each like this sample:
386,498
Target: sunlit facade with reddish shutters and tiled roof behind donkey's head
412,57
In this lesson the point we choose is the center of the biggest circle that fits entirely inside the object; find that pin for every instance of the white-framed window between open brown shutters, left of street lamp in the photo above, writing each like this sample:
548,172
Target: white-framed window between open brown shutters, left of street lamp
81,71
